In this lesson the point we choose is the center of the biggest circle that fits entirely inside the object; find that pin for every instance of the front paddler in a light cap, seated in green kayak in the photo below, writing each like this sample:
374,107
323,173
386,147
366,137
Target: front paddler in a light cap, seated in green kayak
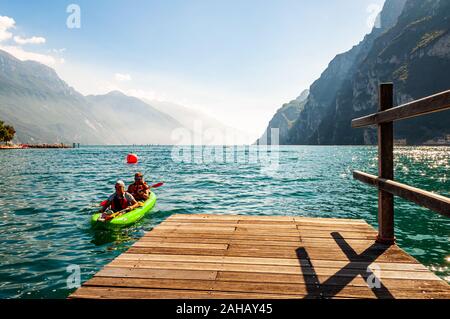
120,201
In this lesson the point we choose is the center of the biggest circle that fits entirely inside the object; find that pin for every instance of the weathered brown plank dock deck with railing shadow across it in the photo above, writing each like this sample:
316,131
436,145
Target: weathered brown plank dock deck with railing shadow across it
217,256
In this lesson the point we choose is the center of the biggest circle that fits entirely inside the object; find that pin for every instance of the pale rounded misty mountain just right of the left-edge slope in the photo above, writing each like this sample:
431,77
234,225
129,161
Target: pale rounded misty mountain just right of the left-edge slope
132,120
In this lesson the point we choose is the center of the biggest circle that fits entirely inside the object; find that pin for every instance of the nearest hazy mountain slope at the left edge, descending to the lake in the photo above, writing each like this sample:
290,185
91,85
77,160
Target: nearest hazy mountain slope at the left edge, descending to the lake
43,108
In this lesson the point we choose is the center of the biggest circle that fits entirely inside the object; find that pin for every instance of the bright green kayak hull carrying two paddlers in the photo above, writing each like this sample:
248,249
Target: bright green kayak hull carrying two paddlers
127,219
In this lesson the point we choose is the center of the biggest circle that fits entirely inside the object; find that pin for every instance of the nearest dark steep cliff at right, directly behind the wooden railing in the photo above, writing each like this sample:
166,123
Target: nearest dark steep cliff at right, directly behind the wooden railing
415,55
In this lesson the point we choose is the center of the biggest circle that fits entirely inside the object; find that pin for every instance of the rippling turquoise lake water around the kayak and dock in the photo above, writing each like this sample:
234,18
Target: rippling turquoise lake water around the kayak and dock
47,197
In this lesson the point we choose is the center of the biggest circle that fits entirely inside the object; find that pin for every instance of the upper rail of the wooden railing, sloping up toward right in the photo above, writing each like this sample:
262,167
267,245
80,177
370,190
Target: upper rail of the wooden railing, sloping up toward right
433,103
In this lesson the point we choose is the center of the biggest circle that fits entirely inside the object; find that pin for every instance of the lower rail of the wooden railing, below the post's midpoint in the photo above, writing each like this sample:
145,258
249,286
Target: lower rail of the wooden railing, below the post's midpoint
435,202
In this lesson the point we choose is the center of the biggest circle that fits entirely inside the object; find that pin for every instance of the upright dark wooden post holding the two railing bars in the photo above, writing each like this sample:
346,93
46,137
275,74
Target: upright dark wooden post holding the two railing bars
386,168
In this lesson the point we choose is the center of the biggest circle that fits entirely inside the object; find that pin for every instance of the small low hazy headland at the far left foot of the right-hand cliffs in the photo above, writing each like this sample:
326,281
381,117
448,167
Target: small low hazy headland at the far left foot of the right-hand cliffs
283,120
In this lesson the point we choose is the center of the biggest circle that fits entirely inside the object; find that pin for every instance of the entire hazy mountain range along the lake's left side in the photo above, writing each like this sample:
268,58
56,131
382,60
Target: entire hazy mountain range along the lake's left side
44,109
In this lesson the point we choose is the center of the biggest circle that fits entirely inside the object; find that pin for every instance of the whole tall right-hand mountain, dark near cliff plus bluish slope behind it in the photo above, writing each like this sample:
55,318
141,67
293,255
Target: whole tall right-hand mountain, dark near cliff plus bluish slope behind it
411,48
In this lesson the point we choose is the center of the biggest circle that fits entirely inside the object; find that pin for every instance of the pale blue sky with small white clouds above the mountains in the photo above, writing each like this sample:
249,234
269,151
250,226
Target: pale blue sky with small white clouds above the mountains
237,60
